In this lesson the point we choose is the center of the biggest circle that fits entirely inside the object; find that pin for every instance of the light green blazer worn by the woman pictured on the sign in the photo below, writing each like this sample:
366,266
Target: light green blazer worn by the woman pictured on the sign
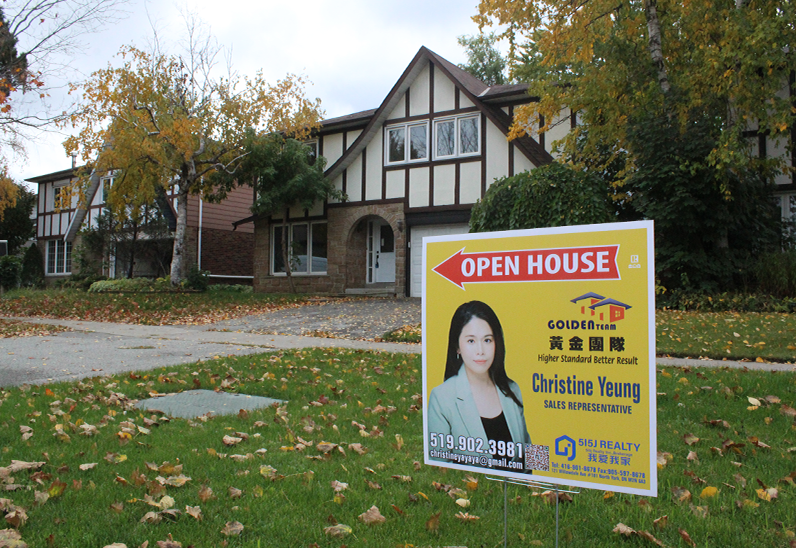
452,410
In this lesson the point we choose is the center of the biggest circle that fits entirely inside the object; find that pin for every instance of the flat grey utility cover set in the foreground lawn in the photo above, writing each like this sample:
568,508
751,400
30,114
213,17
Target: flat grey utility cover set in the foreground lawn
195,403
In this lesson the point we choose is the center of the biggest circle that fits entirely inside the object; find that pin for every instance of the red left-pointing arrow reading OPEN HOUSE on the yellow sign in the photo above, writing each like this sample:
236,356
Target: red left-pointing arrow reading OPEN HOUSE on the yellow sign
531,265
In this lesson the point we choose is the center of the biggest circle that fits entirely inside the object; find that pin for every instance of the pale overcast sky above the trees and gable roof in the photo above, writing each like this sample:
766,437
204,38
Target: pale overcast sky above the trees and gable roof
352,50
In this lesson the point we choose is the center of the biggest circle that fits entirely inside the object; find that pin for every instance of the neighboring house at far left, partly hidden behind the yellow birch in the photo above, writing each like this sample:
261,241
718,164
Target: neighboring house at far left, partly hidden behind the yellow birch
212,242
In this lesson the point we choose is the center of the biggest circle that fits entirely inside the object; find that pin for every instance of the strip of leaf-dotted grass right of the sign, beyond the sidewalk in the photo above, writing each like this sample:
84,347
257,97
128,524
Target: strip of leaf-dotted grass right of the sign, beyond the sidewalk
731,335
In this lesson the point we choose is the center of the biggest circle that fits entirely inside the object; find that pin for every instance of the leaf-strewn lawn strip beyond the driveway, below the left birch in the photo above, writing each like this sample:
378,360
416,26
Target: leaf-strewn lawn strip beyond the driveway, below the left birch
142,308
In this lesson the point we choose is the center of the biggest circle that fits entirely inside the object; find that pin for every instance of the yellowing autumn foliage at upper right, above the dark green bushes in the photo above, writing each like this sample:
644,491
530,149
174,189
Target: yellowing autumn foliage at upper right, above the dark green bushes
613,62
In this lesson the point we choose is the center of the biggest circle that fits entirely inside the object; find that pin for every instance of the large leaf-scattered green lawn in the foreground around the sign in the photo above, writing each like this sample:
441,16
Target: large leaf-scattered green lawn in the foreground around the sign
327,390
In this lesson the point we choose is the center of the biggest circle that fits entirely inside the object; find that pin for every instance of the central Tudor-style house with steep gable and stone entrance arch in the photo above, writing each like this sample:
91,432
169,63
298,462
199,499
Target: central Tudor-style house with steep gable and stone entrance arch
411,168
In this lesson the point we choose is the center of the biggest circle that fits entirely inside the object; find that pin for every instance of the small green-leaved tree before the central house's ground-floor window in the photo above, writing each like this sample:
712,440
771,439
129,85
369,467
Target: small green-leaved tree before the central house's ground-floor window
284,173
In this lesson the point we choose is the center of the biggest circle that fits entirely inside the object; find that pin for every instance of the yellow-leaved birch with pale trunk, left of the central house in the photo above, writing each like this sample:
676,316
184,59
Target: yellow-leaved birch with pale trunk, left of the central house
166,121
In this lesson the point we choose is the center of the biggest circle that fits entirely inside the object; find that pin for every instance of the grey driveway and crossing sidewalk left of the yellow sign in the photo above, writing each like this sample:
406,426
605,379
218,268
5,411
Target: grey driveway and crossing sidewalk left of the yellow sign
95,348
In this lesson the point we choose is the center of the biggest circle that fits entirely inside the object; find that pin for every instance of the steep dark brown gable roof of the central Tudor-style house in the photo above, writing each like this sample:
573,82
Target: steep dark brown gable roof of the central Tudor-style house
475,90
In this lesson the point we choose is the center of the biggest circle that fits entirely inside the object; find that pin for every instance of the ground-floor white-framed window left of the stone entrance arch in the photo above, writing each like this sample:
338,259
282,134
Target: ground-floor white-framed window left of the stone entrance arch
307,245
